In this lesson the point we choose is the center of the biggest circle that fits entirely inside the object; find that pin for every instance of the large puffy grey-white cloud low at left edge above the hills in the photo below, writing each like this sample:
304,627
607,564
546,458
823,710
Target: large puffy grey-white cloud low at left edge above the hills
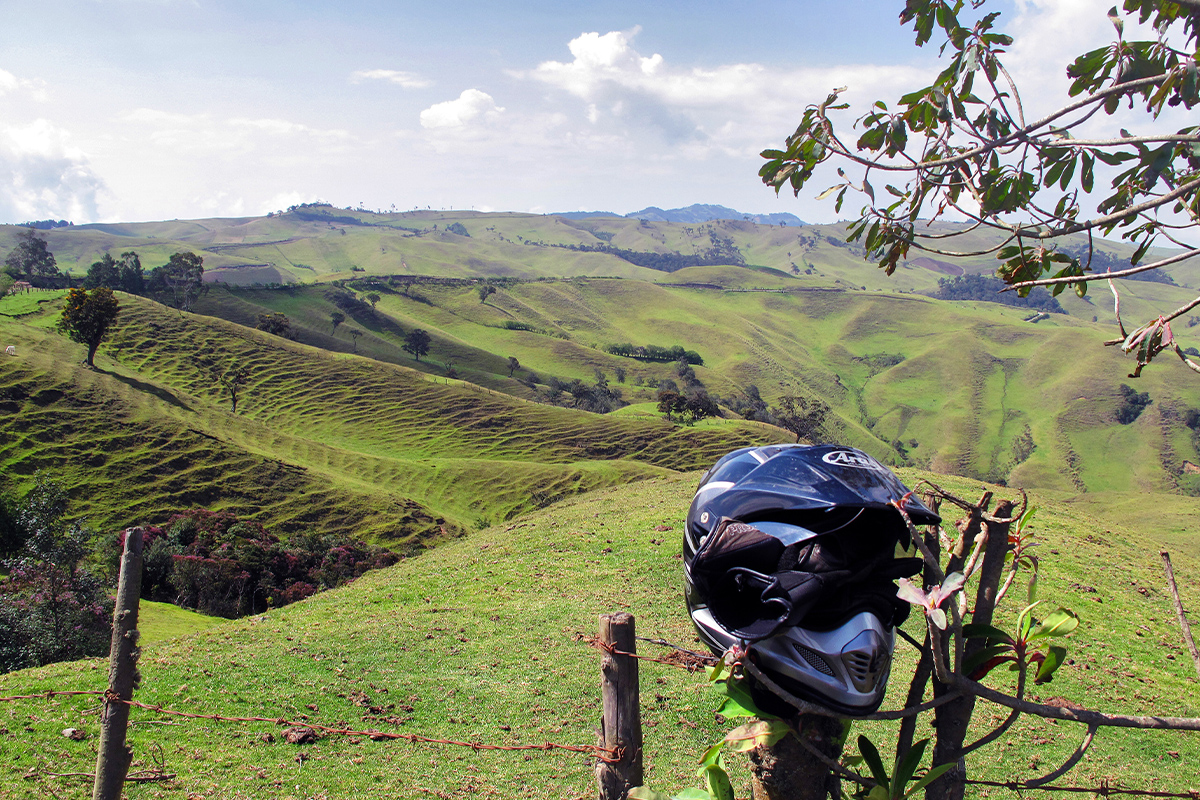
43,176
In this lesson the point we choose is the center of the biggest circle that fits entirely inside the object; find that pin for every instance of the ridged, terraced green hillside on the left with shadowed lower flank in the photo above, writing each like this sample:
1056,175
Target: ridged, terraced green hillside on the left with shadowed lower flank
322,442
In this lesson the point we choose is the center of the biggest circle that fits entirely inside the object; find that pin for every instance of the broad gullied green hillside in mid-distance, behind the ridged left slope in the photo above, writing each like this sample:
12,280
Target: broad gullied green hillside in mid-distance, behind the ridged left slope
957,386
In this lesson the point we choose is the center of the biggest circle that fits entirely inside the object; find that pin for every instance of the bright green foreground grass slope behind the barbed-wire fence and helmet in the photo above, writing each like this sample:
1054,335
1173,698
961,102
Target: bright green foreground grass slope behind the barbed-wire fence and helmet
476,641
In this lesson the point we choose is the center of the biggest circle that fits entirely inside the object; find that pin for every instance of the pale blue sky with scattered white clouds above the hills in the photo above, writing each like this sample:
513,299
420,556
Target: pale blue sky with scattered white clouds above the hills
151,110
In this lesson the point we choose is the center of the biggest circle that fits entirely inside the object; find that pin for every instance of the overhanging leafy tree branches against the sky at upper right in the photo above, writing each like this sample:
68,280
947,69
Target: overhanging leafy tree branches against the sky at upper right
964,149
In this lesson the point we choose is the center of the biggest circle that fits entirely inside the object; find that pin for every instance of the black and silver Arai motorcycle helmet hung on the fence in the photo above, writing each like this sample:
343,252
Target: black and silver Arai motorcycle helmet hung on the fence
791,550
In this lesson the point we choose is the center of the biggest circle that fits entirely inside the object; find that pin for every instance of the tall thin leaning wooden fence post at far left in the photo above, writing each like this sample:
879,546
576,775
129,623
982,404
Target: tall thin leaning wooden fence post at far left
115,757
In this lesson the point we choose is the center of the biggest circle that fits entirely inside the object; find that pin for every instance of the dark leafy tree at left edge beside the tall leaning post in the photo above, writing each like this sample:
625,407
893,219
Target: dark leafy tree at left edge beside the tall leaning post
52,606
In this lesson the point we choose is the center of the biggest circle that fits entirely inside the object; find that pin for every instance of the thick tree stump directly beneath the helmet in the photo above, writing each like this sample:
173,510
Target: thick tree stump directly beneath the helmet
789,772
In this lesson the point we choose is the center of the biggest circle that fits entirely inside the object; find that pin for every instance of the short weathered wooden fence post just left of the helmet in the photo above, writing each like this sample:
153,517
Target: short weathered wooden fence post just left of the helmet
621,727
